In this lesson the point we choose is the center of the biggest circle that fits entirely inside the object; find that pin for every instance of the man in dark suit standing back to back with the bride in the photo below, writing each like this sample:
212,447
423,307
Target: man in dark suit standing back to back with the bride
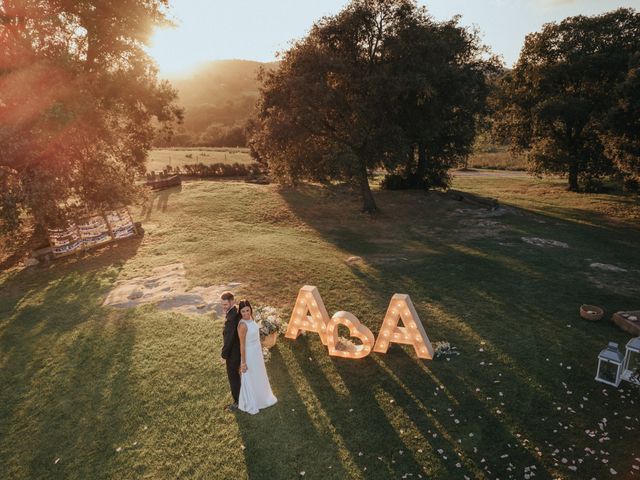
231,347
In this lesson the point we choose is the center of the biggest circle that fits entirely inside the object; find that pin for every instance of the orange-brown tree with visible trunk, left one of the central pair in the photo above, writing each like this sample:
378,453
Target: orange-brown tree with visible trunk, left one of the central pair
327,111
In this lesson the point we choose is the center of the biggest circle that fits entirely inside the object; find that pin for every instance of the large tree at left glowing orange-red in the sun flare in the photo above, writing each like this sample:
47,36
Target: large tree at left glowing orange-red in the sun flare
79,103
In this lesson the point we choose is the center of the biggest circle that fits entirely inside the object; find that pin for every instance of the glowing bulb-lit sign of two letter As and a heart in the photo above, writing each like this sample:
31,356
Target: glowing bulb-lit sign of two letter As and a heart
310,314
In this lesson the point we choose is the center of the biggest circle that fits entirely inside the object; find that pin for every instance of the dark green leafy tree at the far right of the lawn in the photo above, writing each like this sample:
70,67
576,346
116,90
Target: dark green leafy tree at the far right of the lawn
563,88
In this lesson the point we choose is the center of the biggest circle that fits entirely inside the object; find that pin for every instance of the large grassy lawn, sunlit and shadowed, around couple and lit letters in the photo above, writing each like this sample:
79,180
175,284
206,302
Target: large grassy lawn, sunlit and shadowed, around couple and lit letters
93,392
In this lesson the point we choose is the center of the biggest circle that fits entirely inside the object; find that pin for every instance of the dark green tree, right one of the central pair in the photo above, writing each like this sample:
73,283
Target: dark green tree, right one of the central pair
444,78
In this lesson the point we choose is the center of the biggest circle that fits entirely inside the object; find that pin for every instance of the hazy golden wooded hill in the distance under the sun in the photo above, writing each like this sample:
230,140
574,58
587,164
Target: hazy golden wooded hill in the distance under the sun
218,98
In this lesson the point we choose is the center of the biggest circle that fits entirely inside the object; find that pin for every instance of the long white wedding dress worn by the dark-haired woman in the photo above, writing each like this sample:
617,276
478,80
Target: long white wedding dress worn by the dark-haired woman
255,391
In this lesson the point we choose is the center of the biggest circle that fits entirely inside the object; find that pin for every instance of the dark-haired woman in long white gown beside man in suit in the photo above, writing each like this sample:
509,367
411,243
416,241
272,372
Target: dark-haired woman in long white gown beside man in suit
255,391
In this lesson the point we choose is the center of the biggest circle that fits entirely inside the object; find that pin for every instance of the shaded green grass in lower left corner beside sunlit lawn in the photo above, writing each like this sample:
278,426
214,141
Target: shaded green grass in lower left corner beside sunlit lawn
65,379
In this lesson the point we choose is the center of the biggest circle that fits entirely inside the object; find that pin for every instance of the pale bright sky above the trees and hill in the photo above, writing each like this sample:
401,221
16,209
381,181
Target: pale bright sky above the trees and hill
257,29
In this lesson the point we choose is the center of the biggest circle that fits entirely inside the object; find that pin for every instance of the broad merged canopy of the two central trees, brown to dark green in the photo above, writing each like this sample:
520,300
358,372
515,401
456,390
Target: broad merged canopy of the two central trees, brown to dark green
366,87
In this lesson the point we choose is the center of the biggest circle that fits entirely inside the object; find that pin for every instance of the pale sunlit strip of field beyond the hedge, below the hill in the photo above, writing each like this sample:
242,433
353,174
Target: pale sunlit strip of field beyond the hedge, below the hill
177,157
